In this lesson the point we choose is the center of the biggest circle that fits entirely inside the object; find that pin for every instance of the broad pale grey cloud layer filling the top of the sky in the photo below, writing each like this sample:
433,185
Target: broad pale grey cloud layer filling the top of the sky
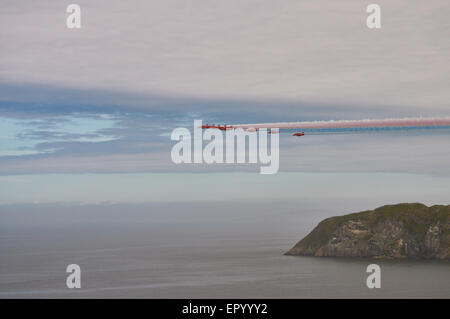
316,52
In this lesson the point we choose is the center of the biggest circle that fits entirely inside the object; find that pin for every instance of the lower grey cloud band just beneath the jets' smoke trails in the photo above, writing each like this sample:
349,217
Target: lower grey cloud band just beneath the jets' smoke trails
364,152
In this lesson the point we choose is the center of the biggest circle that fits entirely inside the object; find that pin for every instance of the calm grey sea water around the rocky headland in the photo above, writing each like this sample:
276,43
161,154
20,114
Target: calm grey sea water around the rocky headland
189,251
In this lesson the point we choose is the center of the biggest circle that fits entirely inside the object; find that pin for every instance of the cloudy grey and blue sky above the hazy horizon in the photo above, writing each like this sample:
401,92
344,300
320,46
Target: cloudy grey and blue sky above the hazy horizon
96,105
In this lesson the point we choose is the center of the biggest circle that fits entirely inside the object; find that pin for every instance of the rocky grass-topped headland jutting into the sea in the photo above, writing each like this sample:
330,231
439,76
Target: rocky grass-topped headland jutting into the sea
392,231
